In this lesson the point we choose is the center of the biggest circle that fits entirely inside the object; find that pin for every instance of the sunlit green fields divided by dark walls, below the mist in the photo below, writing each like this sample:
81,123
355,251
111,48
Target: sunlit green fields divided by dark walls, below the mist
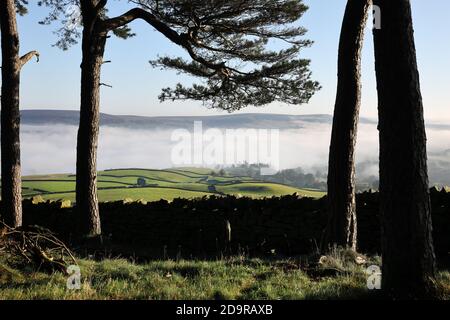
167,184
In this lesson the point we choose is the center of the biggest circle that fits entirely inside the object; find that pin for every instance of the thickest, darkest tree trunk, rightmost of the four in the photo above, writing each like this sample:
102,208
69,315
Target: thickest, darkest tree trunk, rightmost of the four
407,248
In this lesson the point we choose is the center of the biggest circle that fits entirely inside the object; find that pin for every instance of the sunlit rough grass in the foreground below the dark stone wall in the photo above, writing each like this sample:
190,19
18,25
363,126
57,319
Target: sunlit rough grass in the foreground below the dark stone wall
227,278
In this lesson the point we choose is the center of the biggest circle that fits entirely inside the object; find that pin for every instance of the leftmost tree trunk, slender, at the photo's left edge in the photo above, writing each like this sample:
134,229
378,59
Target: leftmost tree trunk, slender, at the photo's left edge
10,116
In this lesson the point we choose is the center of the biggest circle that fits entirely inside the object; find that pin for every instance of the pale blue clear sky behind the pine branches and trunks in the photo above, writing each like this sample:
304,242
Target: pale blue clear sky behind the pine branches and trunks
53,83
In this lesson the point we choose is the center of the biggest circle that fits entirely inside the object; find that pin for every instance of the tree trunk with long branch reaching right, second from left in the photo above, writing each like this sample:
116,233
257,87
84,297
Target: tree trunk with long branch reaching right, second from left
93,47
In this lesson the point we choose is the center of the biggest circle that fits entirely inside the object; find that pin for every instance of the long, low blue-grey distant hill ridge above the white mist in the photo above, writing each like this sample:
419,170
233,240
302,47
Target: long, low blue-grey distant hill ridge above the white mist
248,120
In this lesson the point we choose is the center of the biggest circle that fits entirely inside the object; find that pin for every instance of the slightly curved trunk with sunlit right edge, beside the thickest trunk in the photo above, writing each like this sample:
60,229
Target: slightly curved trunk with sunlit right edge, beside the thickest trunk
341,227
